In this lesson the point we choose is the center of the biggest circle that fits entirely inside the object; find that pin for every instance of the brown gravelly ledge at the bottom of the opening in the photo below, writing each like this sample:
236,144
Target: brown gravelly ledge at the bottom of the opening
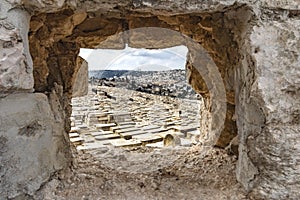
146,173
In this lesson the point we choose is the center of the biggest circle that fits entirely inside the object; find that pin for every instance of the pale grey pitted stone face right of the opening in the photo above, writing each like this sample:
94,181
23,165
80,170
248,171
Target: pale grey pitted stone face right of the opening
270,134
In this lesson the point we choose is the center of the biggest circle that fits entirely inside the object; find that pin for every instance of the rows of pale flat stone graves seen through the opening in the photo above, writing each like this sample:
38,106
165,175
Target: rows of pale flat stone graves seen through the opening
125,118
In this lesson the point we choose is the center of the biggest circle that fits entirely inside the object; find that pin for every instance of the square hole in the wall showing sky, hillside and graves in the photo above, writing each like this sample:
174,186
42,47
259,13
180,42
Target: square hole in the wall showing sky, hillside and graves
137,98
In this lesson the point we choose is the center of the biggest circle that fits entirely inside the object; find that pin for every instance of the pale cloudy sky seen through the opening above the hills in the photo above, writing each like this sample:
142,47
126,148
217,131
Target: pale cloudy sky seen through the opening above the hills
135,59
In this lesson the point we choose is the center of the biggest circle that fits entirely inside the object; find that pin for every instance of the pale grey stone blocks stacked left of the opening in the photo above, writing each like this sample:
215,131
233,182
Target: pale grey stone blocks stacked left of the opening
33,141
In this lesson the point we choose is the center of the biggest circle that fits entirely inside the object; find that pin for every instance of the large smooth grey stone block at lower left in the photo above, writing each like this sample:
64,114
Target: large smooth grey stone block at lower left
29,150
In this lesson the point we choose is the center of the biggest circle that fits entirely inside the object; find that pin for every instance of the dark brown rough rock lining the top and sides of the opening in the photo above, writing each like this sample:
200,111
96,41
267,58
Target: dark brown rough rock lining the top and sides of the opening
55,40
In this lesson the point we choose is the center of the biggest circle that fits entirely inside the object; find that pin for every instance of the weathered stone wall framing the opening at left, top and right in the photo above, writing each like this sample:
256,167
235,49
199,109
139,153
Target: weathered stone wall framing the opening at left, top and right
255,46
